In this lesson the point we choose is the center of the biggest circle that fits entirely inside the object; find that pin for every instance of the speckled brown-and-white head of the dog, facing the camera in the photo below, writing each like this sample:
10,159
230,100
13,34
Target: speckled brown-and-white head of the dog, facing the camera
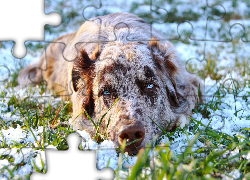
146,77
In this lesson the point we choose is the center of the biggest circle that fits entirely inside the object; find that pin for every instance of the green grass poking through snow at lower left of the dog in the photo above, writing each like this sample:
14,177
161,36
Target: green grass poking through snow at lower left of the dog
34,113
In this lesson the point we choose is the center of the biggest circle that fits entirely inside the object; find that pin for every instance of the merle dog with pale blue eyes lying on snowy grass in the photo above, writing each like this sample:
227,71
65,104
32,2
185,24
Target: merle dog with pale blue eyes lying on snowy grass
116,65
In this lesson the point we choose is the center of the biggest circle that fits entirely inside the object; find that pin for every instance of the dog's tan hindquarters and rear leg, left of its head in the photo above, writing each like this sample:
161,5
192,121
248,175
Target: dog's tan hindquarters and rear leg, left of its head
50,69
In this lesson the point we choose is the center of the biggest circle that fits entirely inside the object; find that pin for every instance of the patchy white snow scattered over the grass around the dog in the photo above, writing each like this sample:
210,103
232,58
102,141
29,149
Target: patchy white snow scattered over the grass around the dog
225,119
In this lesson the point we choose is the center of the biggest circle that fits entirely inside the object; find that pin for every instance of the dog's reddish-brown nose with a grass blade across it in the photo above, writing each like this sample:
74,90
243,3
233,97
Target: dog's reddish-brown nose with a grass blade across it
134,136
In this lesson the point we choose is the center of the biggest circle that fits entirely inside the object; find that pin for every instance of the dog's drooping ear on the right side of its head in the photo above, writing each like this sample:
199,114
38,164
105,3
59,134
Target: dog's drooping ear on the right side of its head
166,61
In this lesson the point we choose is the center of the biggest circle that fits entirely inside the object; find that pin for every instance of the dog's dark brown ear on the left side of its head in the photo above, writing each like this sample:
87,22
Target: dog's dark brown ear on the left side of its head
81,67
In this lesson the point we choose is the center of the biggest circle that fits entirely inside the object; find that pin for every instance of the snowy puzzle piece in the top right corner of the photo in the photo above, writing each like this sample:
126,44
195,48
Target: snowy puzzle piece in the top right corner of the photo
218,22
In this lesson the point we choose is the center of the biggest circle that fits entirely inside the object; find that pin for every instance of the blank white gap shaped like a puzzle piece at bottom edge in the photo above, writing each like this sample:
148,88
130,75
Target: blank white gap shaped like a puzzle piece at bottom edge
72,163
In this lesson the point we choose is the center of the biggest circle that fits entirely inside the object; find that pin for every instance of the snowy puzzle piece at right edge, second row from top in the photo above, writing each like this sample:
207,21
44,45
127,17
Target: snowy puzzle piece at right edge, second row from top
219,59
